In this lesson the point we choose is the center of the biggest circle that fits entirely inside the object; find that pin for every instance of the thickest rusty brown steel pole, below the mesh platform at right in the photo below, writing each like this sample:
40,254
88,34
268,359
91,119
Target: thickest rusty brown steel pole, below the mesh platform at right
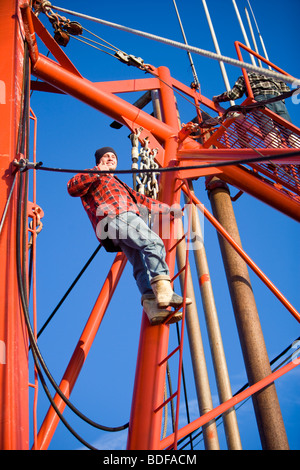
266,405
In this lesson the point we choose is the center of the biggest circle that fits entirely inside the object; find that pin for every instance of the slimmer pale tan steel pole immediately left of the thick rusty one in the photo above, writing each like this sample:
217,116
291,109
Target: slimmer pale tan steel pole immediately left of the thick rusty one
214,333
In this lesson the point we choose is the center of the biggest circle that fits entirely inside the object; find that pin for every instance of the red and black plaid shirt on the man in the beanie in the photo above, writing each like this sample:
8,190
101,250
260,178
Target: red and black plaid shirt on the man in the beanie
105,195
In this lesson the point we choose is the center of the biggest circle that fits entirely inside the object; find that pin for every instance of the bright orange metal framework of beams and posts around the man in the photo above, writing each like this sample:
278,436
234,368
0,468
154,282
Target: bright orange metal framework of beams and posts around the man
146,412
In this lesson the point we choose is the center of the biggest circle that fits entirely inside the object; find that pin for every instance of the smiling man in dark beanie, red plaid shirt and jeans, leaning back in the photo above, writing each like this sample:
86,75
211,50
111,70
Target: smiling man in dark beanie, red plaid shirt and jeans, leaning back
112,207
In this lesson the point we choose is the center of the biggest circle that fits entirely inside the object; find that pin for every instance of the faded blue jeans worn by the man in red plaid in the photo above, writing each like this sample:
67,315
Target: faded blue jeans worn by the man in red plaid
143,248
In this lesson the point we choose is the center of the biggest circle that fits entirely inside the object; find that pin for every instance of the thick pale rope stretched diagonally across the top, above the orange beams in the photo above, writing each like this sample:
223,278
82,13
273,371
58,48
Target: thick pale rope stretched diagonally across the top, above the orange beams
187,47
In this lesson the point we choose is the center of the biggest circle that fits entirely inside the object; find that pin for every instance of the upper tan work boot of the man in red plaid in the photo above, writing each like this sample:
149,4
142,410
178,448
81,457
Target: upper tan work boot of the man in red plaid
165,296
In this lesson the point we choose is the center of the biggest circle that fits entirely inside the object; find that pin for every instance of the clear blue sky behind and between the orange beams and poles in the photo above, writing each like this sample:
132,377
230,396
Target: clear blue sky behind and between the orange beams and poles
68,134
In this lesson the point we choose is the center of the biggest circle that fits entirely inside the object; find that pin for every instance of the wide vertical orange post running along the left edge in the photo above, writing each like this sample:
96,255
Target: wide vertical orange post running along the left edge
14,418
